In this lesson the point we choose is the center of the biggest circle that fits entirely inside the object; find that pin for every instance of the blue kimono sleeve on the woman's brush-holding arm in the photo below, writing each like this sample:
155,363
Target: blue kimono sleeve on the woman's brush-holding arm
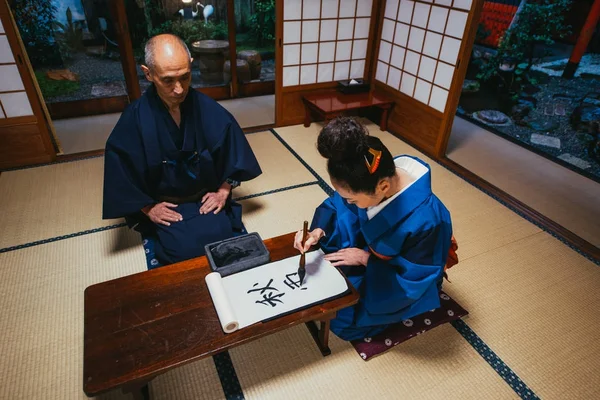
339,220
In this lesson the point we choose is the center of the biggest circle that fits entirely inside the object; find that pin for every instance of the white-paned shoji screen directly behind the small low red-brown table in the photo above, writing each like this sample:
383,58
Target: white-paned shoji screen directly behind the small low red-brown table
321,42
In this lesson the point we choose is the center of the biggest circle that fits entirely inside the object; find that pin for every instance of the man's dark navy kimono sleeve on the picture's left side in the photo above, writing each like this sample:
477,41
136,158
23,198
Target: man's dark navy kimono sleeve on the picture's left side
125,182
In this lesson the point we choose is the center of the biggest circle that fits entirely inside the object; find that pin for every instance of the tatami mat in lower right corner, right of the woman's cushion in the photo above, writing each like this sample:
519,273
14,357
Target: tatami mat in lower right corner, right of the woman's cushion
536,303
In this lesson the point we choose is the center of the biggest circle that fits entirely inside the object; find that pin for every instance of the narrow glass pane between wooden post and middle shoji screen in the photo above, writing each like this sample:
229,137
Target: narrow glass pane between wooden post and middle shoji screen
255,40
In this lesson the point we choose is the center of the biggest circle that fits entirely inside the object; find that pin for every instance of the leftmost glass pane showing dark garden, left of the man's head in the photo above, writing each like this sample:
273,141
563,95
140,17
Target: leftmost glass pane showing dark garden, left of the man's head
73,48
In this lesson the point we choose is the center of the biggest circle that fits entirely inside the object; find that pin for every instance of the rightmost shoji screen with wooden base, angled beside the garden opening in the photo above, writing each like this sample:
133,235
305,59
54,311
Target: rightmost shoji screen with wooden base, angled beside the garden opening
421,45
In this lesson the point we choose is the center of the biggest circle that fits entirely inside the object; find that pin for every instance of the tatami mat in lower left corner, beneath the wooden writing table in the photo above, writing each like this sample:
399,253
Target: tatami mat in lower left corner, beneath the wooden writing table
42,318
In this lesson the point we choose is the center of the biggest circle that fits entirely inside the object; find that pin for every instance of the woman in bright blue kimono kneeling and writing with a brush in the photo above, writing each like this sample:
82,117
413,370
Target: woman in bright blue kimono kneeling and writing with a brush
383,227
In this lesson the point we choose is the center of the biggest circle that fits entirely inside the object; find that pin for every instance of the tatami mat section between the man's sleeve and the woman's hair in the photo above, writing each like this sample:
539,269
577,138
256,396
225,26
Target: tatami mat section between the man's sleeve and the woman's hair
280,168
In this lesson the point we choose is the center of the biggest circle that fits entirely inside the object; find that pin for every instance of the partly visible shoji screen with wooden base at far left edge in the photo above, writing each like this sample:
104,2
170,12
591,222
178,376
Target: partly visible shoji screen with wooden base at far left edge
24,135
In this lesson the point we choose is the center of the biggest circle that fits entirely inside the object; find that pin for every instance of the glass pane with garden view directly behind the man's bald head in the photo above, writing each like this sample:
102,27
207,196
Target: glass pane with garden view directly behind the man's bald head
202,25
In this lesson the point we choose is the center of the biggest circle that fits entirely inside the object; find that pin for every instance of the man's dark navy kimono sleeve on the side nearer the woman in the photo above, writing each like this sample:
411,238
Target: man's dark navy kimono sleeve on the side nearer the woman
233,156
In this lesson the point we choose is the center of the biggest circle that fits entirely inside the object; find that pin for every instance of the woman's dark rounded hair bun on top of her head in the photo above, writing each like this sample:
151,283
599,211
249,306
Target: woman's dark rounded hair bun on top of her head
343,139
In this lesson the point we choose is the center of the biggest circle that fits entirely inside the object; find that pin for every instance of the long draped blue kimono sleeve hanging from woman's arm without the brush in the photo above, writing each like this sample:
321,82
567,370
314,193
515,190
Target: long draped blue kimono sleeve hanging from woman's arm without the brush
405,285
